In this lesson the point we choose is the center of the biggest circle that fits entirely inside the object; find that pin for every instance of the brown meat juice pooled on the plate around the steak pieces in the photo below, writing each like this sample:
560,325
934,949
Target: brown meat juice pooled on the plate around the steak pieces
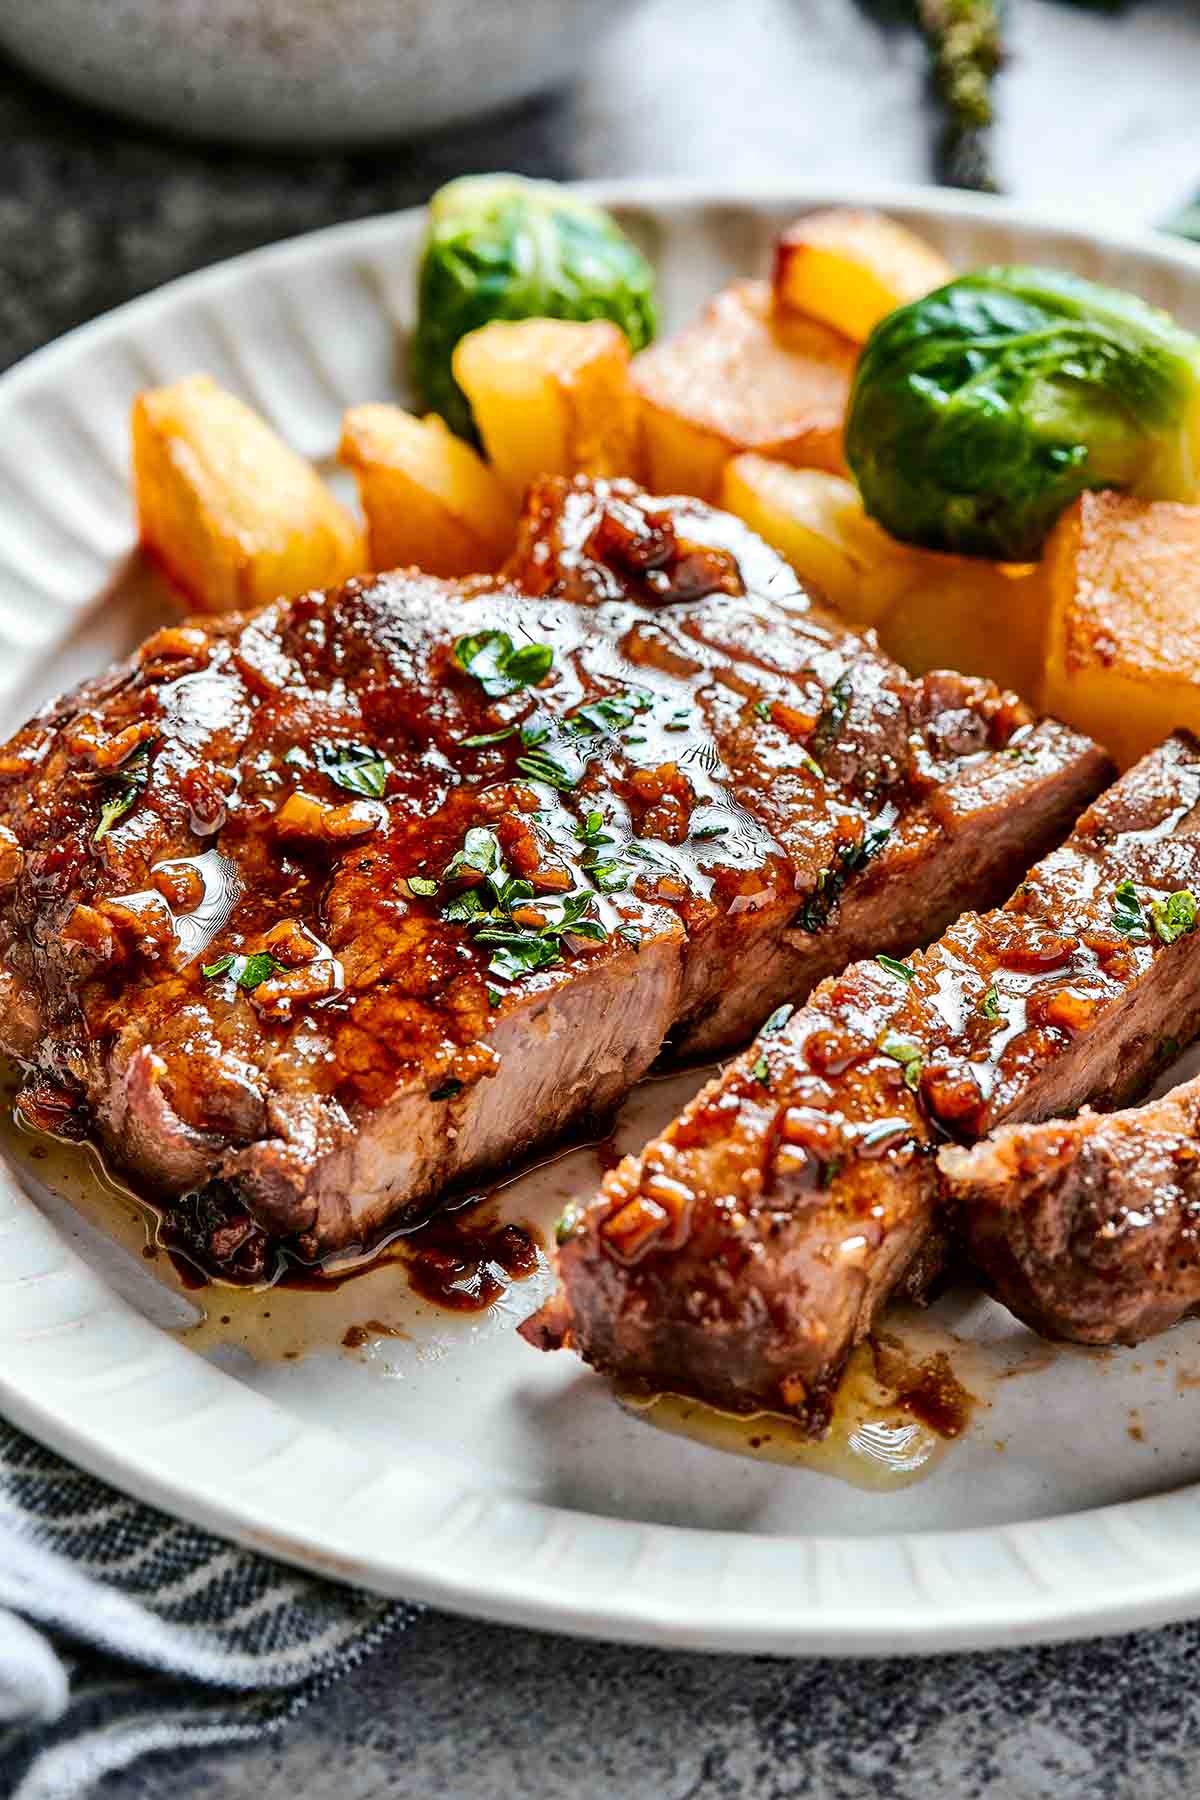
899,1412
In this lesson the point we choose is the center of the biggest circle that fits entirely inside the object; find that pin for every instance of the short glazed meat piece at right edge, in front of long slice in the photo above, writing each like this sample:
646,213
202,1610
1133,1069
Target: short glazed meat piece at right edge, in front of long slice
1089,1228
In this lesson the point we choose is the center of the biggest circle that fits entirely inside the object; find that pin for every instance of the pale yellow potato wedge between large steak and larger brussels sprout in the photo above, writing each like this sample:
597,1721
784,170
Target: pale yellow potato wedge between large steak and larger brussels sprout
818,523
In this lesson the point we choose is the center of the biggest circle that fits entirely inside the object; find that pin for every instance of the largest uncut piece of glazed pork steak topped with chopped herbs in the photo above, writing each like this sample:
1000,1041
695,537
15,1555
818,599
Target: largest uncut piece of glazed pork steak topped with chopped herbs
372,894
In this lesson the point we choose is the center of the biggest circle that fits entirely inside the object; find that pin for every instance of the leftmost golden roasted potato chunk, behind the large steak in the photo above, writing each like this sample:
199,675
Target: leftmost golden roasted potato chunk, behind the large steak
229,510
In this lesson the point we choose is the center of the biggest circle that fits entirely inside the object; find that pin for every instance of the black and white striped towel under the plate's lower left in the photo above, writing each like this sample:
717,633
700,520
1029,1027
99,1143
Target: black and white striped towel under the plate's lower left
127,1633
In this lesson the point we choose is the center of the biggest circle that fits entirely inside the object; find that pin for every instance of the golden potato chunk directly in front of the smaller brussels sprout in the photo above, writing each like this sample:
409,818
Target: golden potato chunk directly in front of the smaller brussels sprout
551,397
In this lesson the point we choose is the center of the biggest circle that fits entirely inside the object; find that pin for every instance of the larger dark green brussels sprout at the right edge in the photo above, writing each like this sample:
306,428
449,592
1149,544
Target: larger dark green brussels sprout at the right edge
987,408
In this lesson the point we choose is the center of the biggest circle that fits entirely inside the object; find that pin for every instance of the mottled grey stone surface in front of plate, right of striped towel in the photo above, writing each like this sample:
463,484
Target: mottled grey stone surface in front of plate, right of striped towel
478,1713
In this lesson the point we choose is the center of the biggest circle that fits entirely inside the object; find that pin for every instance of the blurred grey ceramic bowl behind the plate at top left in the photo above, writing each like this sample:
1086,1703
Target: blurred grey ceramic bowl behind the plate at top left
303,73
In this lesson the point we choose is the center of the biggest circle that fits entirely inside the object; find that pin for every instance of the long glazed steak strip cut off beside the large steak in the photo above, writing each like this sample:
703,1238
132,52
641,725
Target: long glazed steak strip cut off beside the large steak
744,1254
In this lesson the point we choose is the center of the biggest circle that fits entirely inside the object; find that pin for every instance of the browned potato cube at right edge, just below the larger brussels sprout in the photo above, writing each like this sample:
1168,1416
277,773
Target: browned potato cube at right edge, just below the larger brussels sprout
1124,638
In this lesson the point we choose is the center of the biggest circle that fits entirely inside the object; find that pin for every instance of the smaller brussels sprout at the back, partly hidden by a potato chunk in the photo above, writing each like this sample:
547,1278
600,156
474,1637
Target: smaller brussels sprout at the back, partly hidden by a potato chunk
503,247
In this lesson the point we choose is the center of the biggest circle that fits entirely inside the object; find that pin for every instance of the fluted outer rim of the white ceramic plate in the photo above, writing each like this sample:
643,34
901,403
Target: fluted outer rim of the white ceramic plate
1046,1587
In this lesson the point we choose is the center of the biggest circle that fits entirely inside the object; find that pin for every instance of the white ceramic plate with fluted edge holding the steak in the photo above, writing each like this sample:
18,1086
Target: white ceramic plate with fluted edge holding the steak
452,1462
